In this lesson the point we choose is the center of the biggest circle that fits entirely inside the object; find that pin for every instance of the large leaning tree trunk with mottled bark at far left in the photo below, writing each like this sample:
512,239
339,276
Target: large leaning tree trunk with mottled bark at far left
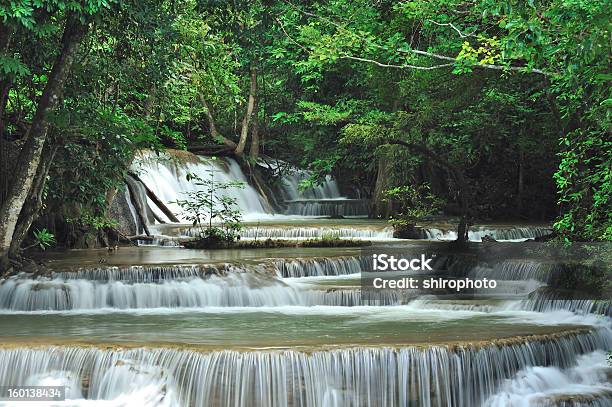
29,157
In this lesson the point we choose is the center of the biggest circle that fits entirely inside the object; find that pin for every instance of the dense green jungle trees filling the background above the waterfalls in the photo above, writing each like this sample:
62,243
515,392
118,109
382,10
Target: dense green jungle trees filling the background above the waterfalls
501,106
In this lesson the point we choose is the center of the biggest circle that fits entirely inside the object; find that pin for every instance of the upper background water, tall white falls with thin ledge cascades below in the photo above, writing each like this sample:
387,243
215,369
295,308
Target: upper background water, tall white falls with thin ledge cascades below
165,175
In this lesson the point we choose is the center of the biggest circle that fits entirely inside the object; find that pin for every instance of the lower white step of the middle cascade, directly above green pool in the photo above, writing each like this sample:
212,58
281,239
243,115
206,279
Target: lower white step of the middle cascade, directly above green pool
231,290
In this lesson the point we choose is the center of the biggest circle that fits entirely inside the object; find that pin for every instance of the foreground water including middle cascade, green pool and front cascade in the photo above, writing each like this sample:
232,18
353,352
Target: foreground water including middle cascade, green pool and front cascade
277,331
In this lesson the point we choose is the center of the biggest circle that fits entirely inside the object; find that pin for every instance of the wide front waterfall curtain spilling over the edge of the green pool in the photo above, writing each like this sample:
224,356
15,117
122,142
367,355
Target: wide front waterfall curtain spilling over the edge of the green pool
454,375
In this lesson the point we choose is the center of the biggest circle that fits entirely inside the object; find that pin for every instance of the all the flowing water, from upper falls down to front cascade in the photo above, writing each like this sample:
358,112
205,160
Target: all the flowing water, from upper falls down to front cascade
167,326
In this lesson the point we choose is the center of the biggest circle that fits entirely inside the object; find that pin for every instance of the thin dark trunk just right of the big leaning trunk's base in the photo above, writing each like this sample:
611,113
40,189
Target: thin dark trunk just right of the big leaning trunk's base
32,206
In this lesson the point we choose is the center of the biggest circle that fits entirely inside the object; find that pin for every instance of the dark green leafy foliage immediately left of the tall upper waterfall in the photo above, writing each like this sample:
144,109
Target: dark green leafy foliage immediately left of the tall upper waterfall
95,158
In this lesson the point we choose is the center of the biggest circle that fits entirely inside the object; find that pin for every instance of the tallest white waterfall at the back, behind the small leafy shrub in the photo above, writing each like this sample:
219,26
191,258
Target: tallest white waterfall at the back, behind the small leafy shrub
165,176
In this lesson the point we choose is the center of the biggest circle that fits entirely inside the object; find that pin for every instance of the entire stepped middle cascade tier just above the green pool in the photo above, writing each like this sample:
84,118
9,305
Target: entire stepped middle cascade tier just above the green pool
269,282
